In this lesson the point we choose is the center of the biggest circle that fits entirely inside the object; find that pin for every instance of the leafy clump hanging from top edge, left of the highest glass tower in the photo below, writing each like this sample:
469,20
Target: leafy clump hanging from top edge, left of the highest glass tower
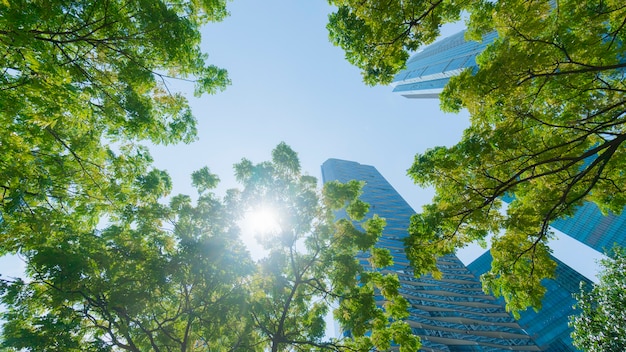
377,35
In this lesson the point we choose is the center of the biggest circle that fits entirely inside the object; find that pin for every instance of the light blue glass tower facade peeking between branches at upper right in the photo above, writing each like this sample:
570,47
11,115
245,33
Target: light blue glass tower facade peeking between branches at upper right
429,70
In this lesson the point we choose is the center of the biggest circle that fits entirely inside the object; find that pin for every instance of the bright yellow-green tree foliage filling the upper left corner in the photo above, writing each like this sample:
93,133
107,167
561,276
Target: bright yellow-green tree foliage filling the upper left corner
82,83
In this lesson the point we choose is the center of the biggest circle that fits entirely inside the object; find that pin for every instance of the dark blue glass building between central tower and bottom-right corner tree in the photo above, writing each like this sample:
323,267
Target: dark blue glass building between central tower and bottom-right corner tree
549,326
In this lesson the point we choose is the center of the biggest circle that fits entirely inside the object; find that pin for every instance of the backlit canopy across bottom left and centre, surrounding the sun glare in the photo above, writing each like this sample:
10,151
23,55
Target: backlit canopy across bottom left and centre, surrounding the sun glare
177,277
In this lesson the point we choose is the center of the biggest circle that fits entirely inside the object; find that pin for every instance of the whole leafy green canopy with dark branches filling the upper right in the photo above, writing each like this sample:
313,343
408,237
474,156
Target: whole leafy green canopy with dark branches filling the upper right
547,126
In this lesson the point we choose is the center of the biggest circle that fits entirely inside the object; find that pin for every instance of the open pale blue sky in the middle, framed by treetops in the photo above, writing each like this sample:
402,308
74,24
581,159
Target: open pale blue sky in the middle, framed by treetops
289,83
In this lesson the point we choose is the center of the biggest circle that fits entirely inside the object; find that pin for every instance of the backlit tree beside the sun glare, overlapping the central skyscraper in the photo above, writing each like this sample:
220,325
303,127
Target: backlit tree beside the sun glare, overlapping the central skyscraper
312,264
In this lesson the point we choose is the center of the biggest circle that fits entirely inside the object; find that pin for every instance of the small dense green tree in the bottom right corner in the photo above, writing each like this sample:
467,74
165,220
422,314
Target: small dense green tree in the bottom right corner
600,324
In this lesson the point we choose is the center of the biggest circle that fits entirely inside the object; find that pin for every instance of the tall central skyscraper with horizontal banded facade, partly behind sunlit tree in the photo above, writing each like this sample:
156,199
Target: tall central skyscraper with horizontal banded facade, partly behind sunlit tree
450,314
